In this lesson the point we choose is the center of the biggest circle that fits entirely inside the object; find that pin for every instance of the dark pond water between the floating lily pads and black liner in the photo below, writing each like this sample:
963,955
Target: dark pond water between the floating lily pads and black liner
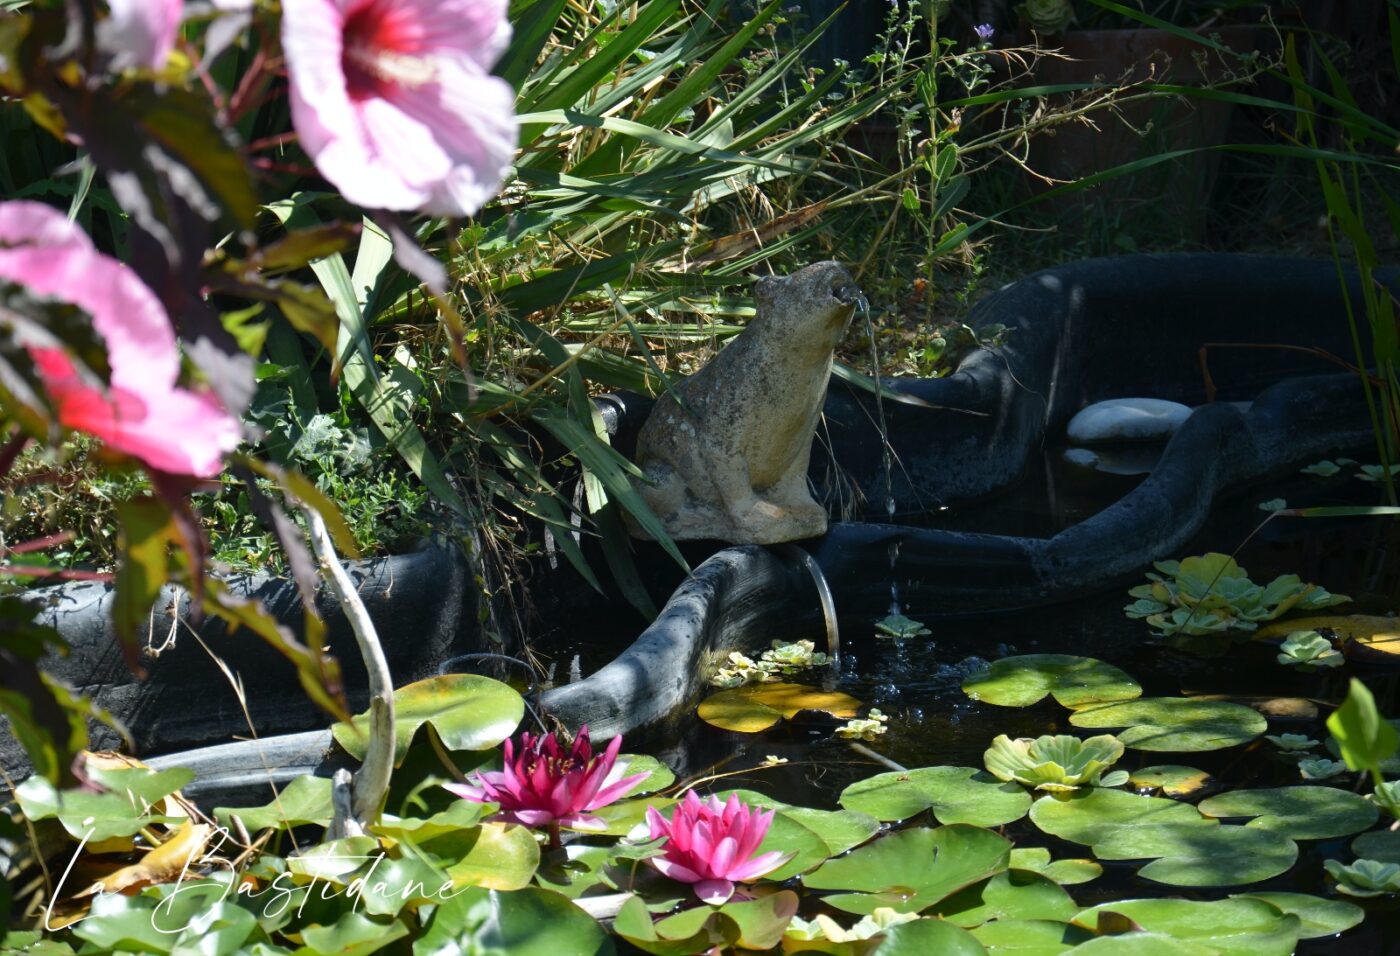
934,723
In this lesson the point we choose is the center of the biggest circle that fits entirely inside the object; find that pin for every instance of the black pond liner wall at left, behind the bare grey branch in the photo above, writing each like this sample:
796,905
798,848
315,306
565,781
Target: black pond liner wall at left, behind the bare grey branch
426,598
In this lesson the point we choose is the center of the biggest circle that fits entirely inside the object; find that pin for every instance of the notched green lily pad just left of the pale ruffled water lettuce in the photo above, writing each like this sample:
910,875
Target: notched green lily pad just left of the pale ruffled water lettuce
954,794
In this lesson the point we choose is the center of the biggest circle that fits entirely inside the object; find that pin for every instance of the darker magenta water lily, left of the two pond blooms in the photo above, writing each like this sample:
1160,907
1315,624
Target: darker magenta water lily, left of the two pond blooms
544,786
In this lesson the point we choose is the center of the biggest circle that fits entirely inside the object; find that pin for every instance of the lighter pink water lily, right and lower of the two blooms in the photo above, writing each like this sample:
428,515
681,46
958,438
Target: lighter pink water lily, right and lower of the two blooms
712,845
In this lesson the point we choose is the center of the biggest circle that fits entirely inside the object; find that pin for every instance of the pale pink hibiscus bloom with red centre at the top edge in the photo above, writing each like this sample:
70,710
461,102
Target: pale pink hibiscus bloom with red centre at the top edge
394,100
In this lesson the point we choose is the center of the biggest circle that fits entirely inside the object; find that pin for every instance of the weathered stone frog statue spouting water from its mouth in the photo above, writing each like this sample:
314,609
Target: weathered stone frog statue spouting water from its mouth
726,453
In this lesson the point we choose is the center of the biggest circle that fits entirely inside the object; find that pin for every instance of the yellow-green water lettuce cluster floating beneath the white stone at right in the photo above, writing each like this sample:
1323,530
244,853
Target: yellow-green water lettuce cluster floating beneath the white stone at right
1212,594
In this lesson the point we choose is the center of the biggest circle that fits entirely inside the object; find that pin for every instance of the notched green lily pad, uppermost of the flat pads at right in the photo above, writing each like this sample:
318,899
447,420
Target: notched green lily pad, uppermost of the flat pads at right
1074,682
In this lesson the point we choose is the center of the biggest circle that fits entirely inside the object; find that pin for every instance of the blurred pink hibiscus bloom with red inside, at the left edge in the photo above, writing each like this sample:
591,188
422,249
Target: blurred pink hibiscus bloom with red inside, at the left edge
143,414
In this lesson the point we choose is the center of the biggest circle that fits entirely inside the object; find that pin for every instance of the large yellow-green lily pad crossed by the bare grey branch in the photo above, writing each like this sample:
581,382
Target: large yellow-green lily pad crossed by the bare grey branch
467,710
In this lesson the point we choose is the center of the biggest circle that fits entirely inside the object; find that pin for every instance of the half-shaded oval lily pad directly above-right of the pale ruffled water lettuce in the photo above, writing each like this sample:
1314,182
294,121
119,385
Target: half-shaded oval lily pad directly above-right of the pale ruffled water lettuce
1175,724
